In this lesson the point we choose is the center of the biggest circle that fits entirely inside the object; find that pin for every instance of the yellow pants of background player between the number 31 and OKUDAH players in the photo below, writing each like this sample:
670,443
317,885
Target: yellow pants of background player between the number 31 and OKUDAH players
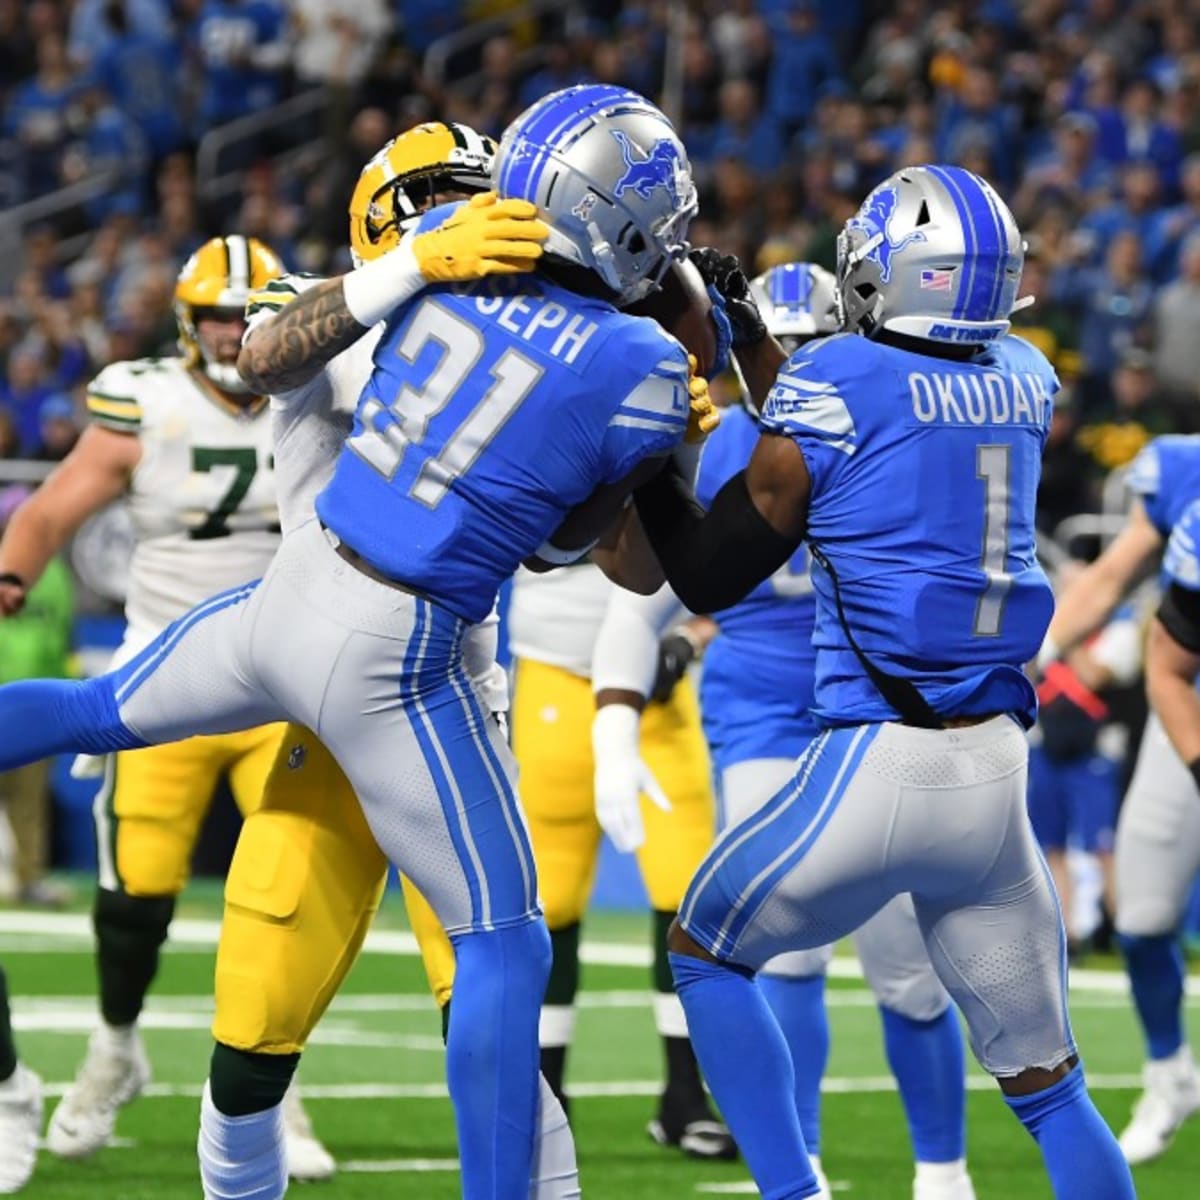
553,713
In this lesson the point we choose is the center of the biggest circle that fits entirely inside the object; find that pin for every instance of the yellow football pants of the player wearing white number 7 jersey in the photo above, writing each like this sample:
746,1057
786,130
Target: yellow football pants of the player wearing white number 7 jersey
153,802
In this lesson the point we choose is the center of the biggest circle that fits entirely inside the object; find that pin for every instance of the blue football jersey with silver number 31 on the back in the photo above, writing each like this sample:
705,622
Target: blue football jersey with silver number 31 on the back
494,410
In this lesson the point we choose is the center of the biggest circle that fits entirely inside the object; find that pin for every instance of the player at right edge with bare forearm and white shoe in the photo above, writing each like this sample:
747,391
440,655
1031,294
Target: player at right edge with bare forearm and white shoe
1157,849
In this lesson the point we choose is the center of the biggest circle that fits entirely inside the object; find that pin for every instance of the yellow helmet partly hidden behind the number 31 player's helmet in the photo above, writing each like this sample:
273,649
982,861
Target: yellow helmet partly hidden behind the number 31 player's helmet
400,183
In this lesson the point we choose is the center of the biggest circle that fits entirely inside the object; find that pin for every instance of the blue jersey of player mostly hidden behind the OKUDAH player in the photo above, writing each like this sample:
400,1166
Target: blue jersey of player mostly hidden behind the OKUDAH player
758,680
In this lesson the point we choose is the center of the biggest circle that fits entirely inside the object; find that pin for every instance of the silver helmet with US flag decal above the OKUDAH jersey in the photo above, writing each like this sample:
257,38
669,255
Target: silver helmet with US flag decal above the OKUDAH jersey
934,254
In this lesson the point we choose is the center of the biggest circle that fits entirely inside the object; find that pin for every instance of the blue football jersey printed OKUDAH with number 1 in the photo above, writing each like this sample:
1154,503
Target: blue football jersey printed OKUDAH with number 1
925,482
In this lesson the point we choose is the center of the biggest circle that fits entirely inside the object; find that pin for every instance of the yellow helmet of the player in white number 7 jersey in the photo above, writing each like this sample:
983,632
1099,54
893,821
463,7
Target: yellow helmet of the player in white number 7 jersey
219,278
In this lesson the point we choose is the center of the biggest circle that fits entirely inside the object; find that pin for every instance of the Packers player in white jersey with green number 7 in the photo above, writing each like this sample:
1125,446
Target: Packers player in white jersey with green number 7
190,447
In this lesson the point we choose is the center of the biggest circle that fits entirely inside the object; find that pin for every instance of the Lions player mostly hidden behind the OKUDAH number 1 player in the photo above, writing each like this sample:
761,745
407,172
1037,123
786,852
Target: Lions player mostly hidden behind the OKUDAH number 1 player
757,692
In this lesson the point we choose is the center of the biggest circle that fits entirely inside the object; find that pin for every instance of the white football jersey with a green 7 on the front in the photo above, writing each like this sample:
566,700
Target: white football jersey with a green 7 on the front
202,497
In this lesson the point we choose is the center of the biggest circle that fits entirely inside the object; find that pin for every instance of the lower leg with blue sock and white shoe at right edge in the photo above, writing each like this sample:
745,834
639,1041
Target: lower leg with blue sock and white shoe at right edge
1157,859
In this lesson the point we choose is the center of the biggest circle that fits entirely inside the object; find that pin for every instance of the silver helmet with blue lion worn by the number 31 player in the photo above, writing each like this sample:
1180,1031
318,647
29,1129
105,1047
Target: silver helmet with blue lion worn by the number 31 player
611,179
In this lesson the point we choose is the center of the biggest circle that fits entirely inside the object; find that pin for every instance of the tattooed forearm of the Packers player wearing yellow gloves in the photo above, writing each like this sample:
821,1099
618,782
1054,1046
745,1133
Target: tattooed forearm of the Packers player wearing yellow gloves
291,347
